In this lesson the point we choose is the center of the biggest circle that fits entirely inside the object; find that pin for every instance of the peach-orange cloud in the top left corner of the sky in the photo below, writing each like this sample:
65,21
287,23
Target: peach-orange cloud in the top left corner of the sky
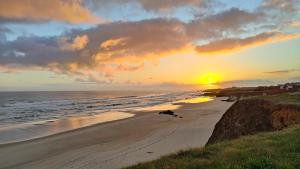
70,11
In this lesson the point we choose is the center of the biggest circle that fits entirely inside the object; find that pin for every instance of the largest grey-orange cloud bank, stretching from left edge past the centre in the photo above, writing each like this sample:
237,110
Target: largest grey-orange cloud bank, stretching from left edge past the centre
100,49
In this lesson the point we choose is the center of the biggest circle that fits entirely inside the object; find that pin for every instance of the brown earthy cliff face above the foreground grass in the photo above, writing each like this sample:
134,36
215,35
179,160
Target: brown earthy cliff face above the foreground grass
251,116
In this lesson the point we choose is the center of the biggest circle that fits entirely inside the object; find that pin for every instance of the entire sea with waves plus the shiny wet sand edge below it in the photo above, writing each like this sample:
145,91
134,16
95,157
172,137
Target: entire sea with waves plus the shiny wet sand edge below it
29,115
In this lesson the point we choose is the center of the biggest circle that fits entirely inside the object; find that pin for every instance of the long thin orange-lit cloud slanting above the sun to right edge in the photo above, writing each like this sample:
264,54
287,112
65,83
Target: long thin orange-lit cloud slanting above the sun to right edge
236,44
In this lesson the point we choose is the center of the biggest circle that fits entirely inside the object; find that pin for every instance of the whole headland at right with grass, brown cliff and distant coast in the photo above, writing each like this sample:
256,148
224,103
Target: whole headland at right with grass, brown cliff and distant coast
268,147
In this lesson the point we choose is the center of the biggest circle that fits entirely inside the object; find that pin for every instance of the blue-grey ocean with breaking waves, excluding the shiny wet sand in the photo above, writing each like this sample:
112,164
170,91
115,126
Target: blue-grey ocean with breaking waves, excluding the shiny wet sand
27,107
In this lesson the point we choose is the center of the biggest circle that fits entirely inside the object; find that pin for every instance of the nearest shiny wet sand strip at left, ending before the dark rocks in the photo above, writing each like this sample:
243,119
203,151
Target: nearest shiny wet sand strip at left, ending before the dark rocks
41,129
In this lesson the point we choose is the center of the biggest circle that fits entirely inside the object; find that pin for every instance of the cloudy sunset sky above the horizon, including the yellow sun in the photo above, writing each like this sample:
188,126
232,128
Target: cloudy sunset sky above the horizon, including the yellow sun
147,44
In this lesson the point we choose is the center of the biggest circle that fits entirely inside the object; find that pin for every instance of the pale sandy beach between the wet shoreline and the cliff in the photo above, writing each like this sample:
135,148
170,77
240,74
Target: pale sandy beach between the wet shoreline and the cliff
118,144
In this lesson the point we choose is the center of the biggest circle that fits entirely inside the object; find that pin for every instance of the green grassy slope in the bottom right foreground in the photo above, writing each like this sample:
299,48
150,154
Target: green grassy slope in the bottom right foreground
274,150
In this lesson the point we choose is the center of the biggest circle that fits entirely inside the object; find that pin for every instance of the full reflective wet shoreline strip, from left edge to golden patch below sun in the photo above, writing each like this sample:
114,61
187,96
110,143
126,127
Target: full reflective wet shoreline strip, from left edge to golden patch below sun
41,129
